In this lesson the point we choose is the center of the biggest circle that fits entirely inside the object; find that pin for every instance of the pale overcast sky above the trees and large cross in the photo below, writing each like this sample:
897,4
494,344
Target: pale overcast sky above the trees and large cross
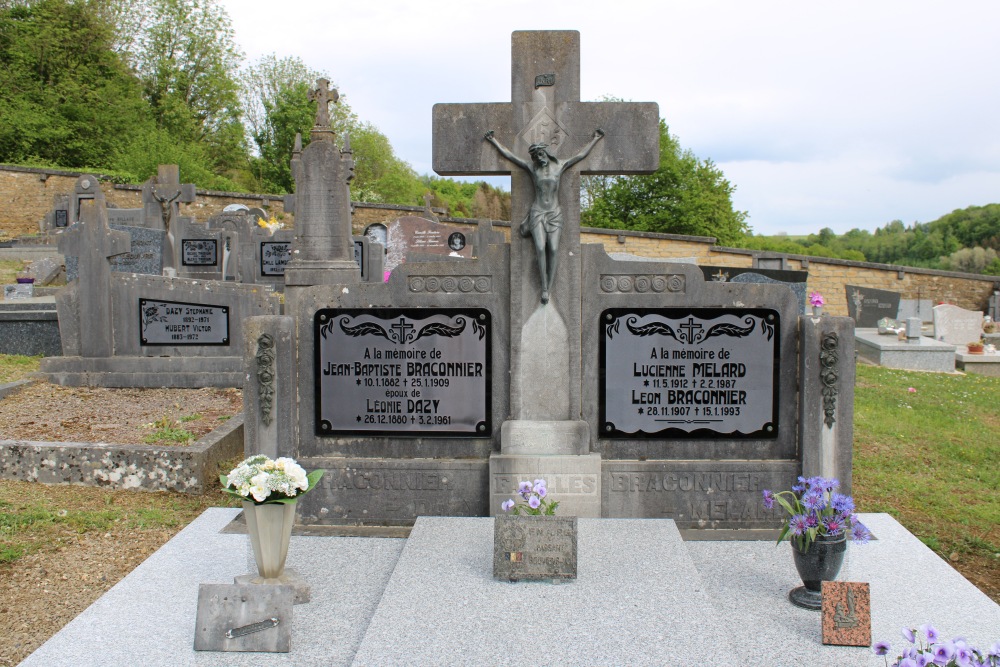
823,114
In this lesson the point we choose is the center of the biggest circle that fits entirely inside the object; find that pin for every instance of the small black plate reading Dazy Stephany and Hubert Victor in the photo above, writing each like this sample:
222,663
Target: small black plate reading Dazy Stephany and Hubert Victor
178,323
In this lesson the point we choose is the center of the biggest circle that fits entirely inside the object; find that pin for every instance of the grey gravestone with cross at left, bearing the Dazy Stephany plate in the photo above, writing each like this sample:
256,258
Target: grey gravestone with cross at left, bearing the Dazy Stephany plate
129,330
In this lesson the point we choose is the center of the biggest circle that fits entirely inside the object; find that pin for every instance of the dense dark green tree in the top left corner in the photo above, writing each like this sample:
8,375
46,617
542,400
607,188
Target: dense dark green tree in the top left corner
66,97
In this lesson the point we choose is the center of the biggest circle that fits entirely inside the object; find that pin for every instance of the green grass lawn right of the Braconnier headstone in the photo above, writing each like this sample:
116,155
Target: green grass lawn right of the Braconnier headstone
927,451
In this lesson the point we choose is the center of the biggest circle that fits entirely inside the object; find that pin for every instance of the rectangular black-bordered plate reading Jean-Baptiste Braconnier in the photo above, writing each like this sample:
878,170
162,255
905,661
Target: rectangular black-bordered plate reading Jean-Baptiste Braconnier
403,371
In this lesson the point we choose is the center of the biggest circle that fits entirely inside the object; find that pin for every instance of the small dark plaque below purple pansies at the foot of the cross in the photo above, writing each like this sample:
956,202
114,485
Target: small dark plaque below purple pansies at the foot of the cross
529,548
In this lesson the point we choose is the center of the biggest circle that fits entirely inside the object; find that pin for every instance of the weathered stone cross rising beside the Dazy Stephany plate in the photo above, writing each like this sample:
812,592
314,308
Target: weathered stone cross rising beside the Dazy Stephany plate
94,243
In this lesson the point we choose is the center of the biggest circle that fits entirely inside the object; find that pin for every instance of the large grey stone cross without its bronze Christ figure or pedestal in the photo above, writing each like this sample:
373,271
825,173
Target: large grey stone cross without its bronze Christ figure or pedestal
545,108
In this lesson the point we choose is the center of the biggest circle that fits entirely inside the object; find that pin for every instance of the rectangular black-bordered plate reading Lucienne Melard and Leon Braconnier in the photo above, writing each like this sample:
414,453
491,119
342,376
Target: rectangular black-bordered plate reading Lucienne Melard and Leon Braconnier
689,373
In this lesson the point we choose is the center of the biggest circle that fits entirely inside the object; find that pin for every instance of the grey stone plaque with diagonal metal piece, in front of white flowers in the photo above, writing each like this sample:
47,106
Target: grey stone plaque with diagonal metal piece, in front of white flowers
248,617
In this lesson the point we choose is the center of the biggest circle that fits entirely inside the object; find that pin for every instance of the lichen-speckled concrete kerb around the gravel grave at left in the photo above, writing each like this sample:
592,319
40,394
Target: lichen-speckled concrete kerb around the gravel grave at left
144,467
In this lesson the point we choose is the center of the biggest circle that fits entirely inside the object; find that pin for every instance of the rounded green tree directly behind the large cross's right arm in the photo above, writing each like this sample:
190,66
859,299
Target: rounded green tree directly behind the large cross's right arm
686,195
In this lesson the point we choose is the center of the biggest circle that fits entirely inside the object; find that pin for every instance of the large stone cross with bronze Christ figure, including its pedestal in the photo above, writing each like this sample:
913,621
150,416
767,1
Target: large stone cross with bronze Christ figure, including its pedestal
544,126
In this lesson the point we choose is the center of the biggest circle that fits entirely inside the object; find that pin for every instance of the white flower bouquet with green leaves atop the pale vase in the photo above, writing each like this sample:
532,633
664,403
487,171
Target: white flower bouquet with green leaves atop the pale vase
262,480
